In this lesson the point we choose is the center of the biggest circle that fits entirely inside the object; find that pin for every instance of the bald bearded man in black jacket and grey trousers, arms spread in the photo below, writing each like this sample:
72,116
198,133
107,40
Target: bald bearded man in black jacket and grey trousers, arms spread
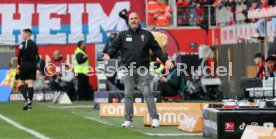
135,45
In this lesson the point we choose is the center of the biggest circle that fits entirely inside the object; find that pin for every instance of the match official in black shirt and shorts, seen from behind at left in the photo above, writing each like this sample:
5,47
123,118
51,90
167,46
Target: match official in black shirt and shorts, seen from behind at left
27,58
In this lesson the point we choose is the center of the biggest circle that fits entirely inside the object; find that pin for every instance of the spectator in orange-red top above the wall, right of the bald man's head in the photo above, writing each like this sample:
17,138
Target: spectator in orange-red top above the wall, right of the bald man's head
164,14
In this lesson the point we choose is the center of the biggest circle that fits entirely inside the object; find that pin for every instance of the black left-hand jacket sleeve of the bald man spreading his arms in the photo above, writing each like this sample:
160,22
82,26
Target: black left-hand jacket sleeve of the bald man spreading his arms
115,45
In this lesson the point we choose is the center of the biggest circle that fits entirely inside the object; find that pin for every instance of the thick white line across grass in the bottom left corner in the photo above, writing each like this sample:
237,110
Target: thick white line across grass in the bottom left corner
13,123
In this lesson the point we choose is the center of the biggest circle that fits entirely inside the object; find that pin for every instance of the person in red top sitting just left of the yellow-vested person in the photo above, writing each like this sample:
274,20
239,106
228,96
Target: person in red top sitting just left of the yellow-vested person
57,61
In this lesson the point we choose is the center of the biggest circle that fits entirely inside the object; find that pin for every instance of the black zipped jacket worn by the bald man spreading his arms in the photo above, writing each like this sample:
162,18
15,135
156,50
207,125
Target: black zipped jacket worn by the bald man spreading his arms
135,46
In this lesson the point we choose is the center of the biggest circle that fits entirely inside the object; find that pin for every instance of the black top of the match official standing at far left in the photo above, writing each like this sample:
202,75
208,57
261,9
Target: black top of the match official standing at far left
28,52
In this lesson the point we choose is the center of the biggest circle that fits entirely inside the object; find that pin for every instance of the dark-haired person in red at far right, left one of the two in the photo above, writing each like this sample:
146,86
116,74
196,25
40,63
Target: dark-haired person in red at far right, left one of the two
260,63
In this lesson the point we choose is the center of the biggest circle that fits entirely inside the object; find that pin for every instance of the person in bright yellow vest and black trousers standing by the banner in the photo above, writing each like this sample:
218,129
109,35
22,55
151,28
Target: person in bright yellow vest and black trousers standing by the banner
81,68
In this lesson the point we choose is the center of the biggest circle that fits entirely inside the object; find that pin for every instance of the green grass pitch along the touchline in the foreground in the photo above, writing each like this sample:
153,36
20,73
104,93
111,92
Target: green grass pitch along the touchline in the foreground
82,122
